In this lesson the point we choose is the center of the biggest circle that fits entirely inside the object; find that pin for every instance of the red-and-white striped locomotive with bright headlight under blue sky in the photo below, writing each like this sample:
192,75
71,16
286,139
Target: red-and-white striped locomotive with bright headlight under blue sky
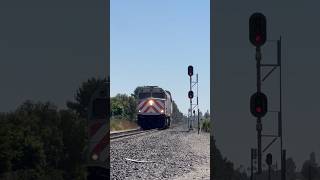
154,107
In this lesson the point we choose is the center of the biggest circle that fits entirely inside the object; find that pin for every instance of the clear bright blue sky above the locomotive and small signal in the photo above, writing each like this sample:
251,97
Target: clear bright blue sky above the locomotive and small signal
152,42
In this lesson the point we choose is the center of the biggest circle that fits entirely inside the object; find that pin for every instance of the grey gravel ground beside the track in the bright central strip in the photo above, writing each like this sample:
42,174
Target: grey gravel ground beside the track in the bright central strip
166,154
